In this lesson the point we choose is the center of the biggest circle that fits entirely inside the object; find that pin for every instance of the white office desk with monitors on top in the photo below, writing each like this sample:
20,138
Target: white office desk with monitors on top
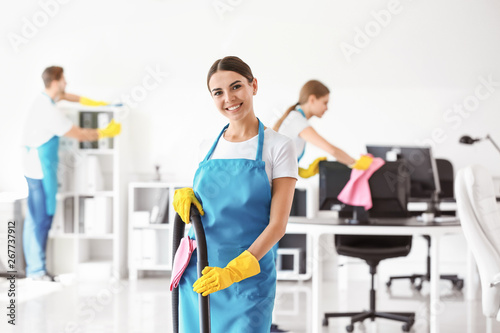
315,227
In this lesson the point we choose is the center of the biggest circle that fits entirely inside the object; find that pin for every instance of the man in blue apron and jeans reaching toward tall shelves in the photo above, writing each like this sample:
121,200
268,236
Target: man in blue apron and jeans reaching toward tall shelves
43,127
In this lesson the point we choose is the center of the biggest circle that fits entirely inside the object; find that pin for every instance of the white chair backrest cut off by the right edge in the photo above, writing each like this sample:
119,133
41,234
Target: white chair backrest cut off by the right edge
480,218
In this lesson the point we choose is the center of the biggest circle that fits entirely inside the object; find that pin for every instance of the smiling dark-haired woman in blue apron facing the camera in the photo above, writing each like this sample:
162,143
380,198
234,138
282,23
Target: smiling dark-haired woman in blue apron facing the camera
244,189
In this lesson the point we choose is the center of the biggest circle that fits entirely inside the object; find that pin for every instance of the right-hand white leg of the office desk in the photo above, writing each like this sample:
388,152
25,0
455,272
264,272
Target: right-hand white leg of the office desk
435,304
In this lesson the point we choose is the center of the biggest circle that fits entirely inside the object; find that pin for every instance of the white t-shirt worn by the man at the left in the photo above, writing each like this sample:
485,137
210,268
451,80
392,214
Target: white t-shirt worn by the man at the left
43,121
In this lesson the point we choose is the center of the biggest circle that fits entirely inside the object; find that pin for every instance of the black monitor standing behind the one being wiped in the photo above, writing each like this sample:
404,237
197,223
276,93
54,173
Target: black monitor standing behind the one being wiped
421,167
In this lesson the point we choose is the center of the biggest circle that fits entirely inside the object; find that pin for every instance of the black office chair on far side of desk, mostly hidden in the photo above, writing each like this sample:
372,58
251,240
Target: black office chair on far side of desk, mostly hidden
446,177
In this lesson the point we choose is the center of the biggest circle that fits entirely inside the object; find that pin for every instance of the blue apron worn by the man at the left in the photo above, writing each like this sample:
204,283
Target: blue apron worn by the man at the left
48,153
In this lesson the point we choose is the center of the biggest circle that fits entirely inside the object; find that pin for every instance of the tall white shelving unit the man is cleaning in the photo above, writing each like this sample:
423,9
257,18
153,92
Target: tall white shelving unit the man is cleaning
86,233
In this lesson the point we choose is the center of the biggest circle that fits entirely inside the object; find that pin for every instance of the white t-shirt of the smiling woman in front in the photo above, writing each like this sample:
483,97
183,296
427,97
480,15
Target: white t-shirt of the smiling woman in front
278,153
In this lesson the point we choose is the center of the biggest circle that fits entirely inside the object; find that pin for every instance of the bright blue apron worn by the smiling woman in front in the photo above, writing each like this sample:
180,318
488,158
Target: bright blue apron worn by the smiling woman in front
236,197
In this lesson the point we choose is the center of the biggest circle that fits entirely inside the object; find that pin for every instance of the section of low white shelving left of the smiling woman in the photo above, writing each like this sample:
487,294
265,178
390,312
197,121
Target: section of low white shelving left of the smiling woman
150,244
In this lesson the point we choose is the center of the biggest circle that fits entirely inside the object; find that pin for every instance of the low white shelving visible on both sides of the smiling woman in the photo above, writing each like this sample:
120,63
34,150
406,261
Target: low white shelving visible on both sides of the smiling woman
155,254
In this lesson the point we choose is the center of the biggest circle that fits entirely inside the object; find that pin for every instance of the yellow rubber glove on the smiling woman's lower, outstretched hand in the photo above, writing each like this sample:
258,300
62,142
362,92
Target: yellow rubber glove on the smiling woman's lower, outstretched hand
215,278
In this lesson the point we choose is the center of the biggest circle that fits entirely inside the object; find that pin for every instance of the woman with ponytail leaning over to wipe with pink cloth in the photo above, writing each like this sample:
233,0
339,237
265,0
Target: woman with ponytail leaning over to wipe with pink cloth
313,102
